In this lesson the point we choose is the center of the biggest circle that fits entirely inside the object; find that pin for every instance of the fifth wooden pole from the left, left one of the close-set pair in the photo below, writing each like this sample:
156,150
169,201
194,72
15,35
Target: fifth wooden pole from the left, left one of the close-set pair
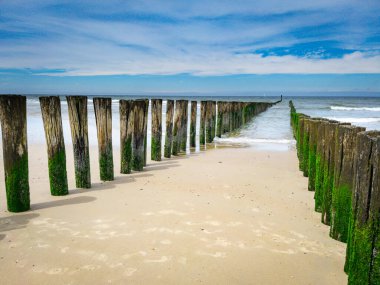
126,133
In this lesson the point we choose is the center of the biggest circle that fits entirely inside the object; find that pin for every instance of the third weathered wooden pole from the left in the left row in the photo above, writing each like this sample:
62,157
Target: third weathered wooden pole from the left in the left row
77,106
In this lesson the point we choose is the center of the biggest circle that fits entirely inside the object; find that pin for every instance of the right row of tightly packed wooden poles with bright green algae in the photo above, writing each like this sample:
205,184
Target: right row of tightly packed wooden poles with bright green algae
342,163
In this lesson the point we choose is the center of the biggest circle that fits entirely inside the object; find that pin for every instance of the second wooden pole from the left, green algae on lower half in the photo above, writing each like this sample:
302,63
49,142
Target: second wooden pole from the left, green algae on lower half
52,119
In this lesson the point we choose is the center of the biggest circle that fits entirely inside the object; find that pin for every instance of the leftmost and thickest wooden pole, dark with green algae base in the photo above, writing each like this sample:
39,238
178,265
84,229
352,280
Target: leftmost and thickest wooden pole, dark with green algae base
15,152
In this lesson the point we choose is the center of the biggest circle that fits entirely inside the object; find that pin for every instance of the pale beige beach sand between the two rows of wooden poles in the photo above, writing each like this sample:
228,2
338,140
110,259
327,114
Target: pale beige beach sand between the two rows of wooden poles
224,216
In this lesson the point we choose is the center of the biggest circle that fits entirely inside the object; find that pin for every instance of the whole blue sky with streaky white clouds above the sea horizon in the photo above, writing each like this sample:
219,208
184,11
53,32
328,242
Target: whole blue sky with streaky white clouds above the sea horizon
121,47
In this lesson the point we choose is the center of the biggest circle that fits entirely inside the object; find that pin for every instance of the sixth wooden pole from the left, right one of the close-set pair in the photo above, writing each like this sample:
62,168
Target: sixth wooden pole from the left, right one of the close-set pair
138,137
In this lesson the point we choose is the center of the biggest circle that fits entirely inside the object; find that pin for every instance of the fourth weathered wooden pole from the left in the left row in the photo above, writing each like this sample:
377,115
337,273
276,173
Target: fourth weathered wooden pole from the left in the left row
103,118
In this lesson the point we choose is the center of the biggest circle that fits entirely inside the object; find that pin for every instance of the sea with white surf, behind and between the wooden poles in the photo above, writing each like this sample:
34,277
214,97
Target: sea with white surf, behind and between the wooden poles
268,131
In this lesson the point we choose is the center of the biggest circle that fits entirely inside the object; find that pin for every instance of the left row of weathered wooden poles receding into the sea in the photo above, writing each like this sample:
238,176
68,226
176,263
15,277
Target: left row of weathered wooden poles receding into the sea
133,137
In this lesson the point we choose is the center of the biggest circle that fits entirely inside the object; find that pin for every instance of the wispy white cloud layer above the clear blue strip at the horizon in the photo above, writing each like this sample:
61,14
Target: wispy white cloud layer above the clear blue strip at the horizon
198,37
